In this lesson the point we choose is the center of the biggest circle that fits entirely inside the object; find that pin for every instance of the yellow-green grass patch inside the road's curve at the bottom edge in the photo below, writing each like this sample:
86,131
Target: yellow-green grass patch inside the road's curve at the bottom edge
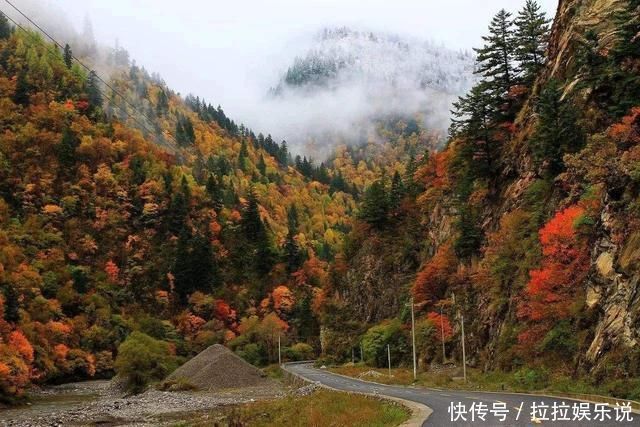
322,408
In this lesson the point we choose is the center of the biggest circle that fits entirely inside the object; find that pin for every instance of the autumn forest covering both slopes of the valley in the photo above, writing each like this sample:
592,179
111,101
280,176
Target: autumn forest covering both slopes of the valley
126,208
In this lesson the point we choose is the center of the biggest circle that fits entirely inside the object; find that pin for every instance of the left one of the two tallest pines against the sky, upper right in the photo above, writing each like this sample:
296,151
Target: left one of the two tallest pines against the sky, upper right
495,62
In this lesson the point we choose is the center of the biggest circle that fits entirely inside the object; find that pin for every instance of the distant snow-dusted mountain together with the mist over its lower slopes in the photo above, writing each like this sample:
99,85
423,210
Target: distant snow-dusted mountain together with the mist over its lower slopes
349,82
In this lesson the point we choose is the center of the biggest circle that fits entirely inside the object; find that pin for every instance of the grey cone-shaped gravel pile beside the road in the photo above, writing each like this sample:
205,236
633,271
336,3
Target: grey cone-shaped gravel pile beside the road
218,368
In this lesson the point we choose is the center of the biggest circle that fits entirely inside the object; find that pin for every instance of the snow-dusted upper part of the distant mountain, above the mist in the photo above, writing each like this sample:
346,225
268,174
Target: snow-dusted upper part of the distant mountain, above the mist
343,56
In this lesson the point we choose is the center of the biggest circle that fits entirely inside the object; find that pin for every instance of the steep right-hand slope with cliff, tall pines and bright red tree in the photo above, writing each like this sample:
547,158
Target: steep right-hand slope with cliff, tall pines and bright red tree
527,223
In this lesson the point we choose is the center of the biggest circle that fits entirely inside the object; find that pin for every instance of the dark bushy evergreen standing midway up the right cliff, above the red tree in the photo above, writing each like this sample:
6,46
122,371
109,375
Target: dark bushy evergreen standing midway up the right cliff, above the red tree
557,131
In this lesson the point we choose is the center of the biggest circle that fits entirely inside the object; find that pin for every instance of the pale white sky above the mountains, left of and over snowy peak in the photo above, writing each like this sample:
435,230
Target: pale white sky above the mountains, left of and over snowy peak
231,52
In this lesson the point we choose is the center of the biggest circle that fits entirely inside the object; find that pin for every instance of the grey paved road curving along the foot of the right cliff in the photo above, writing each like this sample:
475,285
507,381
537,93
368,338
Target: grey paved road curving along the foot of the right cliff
441,401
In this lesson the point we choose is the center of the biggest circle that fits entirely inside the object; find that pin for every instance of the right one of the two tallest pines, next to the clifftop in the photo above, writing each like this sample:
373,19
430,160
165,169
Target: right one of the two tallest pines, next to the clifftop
531,37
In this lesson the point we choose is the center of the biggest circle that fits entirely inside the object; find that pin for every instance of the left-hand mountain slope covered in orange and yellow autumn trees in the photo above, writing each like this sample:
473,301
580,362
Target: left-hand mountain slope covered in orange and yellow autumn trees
124,207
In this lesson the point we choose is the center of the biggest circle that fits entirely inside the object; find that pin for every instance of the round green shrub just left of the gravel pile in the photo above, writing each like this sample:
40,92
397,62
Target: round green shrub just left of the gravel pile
142,360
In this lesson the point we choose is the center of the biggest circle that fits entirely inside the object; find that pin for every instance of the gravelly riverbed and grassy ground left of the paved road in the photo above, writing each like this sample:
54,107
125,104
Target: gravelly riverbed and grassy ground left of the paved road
93,403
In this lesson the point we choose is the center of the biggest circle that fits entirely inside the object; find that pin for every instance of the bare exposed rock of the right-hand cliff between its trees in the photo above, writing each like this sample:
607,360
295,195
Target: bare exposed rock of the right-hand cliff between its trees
609,299
